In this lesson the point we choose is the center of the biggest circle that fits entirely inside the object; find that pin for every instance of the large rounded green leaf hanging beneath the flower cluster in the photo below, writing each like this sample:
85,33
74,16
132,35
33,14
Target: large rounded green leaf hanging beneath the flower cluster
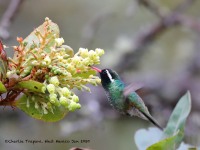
58,112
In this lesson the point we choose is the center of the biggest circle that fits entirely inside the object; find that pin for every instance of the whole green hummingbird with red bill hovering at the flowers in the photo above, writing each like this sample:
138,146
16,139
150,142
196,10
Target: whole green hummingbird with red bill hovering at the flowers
124,98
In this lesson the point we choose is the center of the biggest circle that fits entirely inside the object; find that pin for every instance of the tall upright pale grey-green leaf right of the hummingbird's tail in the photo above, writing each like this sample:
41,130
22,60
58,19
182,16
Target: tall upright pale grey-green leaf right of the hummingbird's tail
178,118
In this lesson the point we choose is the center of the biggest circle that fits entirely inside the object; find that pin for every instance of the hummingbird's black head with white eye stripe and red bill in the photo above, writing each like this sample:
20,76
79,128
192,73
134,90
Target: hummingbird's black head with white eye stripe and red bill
107,76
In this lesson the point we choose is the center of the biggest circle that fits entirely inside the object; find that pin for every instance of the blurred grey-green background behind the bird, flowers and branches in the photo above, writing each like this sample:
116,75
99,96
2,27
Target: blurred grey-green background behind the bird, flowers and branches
116,25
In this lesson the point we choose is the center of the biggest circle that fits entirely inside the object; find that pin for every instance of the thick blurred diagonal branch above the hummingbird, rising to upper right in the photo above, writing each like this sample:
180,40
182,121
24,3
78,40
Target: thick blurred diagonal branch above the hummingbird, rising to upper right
148,36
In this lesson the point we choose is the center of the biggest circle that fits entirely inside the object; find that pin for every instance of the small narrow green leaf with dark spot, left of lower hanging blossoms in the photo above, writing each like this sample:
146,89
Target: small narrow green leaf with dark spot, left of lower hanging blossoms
31,85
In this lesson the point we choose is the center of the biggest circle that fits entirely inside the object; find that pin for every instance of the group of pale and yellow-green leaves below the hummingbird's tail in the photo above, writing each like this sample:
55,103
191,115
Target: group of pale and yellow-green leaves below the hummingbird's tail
173,134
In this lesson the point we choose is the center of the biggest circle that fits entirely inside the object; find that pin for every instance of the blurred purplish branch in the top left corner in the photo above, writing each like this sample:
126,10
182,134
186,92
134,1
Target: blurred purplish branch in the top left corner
7,18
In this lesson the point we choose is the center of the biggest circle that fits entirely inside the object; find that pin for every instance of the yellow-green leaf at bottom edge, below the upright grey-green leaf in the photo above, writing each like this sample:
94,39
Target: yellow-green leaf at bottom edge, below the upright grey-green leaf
166,144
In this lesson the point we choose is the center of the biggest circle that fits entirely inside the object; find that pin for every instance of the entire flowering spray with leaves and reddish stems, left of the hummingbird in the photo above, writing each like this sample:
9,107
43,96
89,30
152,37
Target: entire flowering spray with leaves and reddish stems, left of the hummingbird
43,73
